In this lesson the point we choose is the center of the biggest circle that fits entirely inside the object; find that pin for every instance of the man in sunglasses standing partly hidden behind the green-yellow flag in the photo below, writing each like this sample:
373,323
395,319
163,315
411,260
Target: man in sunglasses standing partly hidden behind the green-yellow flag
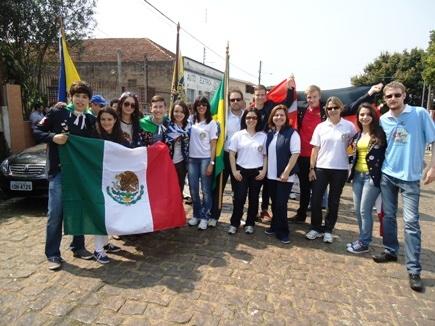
237,105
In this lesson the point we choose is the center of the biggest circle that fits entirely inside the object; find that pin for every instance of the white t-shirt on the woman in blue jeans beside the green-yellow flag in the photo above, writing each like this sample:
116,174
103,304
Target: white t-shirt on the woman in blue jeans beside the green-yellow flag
201,134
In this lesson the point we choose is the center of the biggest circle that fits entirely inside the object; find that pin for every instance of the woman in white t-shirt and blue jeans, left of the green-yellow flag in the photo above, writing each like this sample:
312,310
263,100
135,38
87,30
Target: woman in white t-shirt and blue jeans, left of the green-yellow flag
202,151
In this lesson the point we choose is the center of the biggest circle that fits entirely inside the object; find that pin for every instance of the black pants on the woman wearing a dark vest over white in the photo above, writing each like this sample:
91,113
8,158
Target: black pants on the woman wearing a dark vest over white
279,193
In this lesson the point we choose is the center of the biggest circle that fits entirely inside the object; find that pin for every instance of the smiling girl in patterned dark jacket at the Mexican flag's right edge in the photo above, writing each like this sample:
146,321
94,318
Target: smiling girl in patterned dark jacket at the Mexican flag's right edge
177,139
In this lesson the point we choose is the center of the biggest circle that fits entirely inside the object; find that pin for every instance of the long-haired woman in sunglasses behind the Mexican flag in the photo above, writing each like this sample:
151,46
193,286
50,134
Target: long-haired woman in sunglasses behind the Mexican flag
129,114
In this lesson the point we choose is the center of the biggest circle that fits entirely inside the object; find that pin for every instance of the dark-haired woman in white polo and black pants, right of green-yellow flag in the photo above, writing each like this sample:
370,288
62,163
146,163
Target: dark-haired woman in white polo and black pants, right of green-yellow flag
249,169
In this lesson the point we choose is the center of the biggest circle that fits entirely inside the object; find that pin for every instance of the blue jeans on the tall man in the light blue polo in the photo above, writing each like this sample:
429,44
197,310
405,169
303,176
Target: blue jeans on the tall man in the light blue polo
410,191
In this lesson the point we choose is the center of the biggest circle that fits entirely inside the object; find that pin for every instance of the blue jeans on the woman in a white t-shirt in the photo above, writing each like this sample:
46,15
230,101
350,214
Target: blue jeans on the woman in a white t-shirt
197,169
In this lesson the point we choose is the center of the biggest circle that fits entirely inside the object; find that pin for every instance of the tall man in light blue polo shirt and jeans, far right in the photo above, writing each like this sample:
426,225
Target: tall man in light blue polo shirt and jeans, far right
408,130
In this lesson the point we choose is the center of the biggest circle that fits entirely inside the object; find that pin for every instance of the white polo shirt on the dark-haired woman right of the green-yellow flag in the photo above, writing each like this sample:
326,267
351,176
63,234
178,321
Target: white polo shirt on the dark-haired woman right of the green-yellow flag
250,149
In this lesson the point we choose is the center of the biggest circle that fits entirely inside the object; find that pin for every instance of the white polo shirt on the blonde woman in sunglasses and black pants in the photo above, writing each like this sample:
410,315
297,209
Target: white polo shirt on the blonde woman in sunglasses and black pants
333,141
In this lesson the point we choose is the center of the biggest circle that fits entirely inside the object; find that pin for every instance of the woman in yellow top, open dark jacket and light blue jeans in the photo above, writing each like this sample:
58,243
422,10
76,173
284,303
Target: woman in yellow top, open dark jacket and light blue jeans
369,151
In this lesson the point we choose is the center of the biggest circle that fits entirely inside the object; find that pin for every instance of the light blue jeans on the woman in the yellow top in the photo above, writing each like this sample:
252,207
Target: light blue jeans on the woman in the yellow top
364,198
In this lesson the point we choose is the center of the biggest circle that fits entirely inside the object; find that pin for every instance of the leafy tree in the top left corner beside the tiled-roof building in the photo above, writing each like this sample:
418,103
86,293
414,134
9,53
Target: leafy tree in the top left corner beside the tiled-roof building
29,31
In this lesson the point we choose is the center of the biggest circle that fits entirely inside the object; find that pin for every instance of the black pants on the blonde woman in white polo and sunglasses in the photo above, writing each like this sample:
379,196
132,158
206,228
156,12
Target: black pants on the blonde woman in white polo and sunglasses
336,180
